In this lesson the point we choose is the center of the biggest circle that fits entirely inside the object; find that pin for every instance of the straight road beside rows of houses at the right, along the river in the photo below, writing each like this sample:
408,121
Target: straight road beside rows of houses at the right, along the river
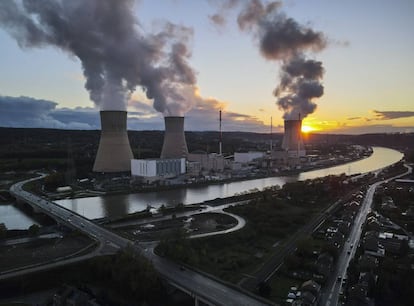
333,287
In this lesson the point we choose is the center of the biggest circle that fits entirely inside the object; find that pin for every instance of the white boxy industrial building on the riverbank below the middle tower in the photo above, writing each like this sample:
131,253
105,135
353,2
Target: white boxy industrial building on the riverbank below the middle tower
150,170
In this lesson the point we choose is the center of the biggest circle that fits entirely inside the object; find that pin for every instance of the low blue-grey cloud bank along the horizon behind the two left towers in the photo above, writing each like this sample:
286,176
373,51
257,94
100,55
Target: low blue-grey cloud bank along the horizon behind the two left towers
26,112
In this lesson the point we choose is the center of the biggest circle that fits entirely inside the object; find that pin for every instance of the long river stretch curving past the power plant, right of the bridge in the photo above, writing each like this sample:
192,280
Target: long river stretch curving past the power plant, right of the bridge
120,205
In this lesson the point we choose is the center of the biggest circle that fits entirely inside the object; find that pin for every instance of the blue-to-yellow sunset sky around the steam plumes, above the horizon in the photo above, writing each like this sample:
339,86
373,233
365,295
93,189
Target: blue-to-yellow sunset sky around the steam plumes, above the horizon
368,85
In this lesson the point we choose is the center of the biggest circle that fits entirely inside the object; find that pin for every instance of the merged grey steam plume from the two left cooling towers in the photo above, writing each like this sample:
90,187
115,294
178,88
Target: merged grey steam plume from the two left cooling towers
116,55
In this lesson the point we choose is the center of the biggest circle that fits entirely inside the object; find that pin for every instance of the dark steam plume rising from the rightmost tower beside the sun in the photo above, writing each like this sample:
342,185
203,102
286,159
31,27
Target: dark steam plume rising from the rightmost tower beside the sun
282,38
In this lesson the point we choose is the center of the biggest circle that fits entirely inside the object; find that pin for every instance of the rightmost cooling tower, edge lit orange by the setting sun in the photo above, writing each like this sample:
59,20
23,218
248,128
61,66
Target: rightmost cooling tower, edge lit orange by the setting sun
292,139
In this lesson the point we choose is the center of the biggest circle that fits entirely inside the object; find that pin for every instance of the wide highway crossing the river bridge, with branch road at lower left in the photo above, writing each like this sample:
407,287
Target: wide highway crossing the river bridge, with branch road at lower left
208,290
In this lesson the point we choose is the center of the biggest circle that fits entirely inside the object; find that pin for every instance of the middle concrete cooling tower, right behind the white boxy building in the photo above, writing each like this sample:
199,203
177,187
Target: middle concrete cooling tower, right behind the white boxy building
174,145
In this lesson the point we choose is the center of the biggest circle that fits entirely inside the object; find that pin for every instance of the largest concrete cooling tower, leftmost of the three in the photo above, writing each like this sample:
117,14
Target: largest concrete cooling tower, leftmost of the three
114,152
